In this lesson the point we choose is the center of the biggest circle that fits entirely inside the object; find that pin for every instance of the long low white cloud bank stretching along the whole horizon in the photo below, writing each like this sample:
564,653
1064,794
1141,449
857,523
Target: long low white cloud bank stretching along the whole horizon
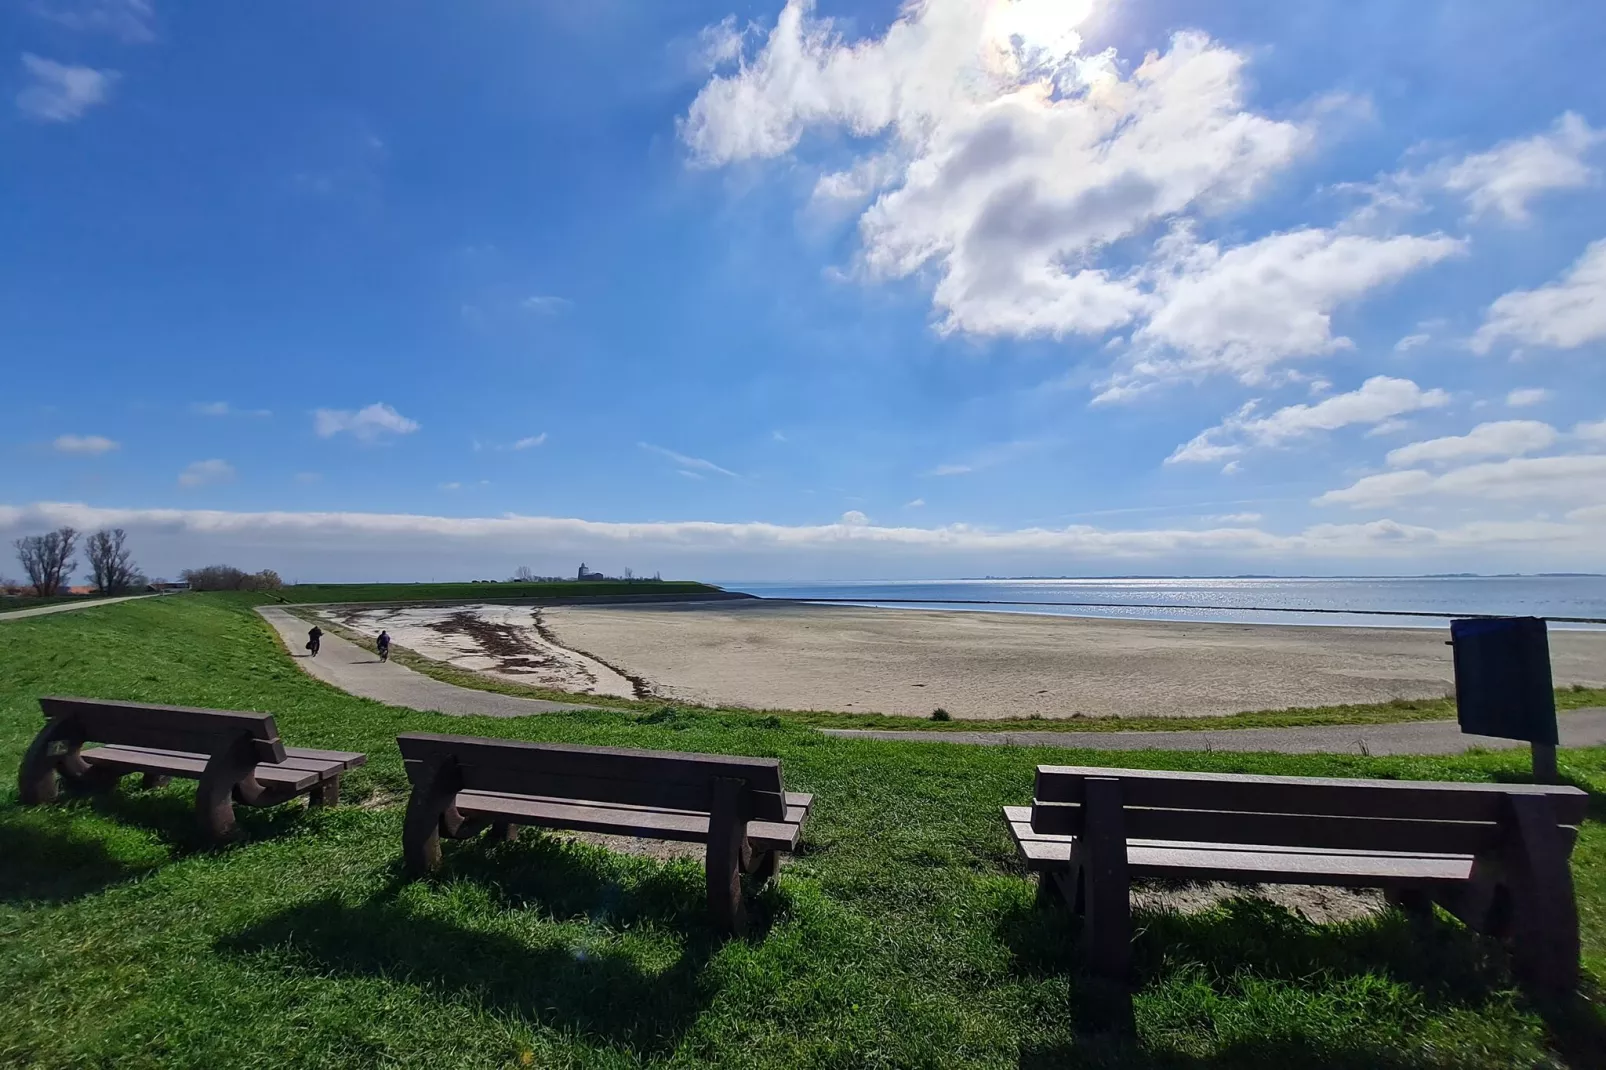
330,545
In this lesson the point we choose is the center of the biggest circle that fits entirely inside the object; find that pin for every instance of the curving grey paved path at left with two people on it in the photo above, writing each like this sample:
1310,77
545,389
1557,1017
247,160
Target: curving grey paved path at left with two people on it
354,671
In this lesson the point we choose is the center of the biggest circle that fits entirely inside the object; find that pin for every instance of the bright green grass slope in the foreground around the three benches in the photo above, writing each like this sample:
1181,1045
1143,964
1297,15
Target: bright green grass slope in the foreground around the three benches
903,934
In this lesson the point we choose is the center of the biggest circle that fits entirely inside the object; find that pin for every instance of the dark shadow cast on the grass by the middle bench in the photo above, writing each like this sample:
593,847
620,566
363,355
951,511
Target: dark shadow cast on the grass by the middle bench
582,984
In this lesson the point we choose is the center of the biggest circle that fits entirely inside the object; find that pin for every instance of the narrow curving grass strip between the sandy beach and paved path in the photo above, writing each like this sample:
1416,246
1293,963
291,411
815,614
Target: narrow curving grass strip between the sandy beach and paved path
1393,713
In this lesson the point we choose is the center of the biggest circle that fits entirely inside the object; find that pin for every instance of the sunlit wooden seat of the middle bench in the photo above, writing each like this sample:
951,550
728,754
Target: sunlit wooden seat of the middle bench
642,822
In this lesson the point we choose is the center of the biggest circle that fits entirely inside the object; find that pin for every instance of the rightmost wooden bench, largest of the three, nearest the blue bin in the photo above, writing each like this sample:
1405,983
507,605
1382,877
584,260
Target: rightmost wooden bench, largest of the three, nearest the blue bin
1496,856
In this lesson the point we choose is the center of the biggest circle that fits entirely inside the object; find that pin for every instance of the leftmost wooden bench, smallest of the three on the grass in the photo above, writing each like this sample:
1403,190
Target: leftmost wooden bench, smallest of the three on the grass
238,758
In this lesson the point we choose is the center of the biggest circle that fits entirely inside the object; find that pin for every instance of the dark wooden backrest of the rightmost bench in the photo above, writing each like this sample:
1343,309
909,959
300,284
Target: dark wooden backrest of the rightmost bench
1335,814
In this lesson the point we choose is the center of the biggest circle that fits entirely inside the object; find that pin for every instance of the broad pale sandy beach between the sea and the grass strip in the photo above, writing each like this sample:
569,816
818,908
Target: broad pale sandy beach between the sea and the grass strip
979,666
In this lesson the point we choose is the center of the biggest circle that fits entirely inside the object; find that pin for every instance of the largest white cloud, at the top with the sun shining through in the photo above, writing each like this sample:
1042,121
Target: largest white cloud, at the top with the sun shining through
1005,157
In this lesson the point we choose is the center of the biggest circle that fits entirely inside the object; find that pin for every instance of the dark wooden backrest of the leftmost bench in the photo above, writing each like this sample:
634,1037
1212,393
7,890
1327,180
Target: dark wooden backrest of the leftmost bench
168,727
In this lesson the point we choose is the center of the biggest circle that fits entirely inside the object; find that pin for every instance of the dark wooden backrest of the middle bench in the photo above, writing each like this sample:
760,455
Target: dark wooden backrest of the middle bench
611,775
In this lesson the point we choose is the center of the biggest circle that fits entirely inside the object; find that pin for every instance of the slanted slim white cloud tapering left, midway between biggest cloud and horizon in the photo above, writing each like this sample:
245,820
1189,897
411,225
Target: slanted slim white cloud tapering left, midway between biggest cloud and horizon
1376,402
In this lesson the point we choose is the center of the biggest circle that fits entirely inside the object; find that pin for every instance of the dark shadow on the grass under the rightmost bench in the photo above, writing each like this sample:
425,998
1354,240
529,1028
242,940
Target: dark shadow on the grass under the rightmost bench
1445,966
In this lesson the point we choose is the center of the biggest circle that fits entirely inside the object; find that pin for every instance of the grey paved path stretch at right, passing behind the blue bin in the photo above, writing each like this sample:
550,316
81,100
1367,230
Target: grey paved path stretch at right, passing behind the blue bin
1580,729
